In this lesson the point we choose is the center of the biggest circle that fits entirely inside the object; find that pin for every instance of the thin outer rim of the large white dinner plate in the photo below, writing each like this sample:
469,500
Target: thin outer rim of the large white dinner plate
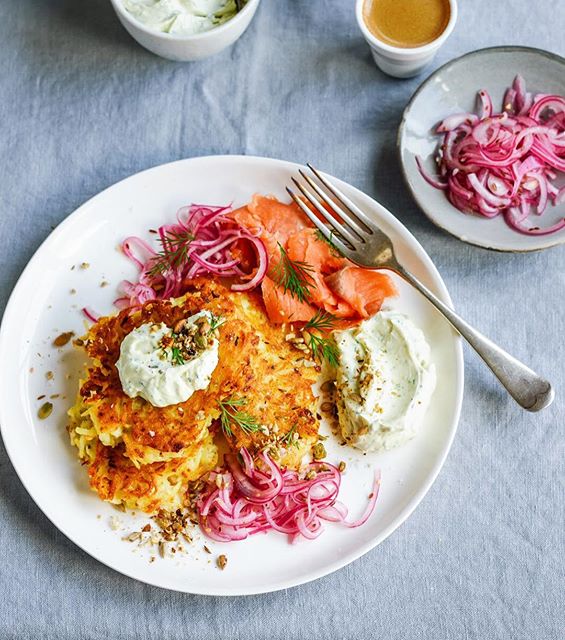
441,290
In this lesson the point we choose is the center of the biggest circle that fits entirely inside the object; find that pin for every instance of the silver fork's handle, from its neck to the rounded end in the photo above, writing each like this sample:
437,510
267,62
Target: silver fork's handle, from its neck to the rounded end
531,391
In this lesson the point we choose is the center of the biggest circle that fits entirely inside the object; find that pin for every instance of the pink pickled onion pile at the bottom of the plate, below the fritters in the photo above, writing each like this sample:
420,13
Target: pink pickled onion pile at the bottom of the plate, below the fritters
254,496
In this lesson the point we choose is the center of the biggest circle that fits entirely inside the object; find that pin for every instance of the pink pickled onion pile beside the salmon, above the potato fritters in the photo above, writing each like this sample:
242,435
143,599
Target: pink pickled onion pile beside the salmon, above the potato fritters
201,241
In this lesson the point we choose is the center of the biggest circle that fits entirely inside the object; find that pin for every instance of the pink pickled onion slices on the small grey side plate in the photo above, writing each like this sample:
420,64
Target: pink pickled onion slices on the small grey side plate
504,163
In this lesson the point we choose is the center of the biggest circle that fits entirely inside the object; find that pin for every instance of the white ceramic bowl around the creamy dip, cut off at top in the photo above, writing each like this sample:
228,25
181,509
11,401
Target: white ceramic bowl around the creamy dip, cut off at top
187,48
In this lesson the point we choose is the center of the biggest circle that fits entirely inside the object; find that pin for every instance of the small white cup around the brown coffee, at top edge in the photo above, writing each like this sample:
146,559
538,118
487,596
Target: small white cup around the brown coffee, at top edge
403,62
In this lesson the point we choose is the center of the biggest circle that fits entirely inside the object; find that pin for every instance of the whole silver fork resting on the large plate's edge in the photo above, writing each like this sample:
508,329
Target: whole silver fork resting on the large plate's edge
359,239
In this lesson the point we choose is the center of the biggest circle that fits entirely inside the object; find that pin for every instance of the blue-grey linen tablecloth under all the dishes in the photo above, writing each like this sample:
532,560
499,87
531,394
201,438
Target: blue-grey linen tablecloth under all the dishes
82,106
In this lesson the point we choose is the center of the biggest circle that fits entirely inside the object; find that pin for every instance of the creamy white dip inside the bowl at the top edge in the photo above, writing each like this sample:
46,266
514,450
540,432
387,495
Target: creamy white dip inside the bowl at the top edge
182,17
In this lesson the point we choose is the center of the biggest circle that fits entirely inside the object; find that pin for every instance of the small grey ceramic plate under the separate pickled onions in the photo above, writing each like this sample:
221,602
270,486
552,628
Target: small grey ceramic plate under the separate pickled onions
453,89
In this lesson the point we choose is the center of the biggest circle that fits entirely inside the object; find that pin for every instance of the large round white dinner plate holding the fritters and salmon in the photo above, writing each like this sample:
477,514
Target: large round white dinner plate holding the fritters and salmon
43,305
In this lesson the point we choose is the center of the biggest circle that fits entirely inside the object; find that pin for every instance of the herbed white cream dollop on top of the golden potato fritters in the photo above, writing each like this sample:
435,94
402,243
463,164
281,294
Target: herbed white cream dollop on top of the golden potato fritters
148,371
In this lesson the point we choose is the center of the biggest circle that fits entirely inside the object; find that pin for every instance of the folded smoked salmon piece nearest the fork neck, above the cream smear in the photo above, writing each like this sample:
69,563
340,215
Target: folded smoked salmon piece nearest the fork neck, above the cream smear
364,289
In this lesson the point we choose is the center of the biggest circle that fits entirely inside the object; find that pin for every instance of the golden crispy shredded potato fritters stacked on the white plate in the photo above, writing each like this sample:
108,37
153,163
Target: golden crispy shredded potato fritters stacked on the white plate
143,456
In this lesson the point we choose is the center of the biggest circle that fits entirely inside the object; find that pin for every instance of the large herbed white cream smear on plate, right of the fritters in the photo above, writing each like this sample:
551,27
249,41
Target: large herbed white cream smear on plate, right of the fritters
384,381
